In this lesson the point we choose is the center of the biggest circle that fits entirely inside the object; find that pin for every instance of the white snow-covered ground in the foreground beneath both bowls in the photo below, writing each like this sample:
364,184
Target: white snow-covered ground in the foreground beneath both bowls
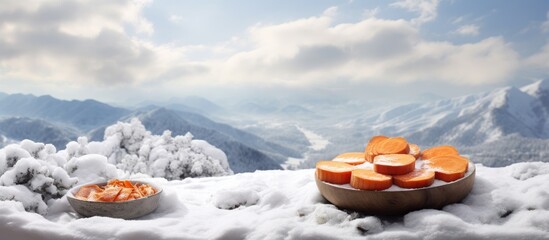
505,203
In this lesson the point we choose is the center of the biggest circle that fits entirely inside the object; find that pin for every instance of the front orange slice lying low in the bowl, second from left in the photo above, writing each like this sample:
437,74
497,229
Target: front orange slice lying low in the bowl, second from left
366,179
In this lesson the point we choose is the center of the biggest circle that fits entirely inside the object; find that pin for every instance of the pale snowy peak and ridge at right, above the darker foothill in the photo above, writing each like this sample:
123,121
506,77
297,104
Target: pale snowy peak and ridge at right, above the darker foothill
468,120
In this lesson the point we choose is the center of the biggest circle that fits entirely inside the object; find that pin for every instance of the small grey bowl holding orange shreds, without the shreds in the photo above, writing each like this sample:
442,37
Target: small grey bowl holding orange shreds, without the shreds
126,209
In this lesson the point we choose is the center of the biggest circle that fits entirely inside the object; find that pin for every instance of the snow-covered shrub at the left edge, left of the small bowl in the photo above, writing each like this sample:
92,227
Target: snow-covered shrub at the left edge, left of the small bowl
30,173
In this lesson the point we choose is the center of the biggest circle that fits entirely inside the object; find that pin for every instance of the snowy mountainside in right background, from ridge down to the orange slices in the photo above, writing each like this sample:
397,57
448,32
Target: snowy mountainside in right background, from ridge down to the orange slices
477,124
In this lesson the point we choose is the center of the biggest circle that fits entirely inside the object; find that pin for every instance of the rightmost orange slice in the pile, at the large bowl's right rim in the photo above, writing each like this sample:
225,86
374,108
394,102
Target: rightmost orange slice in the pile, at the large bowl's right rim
448,168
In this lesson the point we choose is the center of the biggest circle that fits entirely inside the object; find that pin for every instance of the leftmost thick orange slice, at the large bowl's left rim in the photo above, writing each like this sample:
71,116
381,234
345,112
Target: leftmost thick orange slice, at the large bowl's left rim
334,172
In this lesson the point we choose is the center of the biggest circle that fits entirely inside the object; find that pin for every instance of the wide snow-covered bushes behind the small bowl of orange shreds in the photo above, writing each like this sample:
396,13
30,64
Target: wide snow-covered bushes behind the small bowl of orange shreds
132,148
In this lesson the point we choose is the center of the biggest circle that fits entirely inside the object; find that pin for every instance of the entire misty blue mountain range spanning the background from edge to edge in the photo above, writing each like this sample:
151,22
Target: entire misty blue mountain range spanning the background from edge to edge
495,128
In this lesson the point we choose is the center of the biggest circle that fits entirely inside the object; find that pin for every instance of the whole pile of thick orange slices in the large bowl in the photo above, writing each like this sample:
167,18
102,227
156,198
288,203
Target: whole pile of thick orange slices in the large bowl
394,162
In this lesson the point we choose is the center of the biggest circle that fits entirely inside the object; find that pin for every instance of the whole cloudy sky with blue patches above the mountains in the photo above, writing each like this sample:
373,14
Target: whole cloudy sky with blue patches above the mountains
129,51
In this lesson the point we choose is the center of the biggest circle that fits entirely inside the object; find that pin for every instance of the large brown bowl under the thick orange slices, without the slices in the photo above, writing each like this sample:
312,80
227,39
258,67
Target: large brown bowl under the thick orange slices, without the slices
395,200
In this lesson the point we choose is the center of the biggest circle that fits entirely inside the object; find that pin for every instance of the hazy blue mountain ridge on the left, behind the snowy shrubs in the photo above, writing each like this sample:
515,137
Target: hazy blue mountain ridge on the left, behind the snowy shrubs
50,120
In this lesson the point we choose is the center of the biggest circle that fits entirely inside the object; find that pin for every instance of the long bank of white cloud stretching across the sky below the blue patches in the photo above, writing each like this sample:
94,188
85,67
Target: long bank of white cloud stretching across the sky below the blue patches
52,49
